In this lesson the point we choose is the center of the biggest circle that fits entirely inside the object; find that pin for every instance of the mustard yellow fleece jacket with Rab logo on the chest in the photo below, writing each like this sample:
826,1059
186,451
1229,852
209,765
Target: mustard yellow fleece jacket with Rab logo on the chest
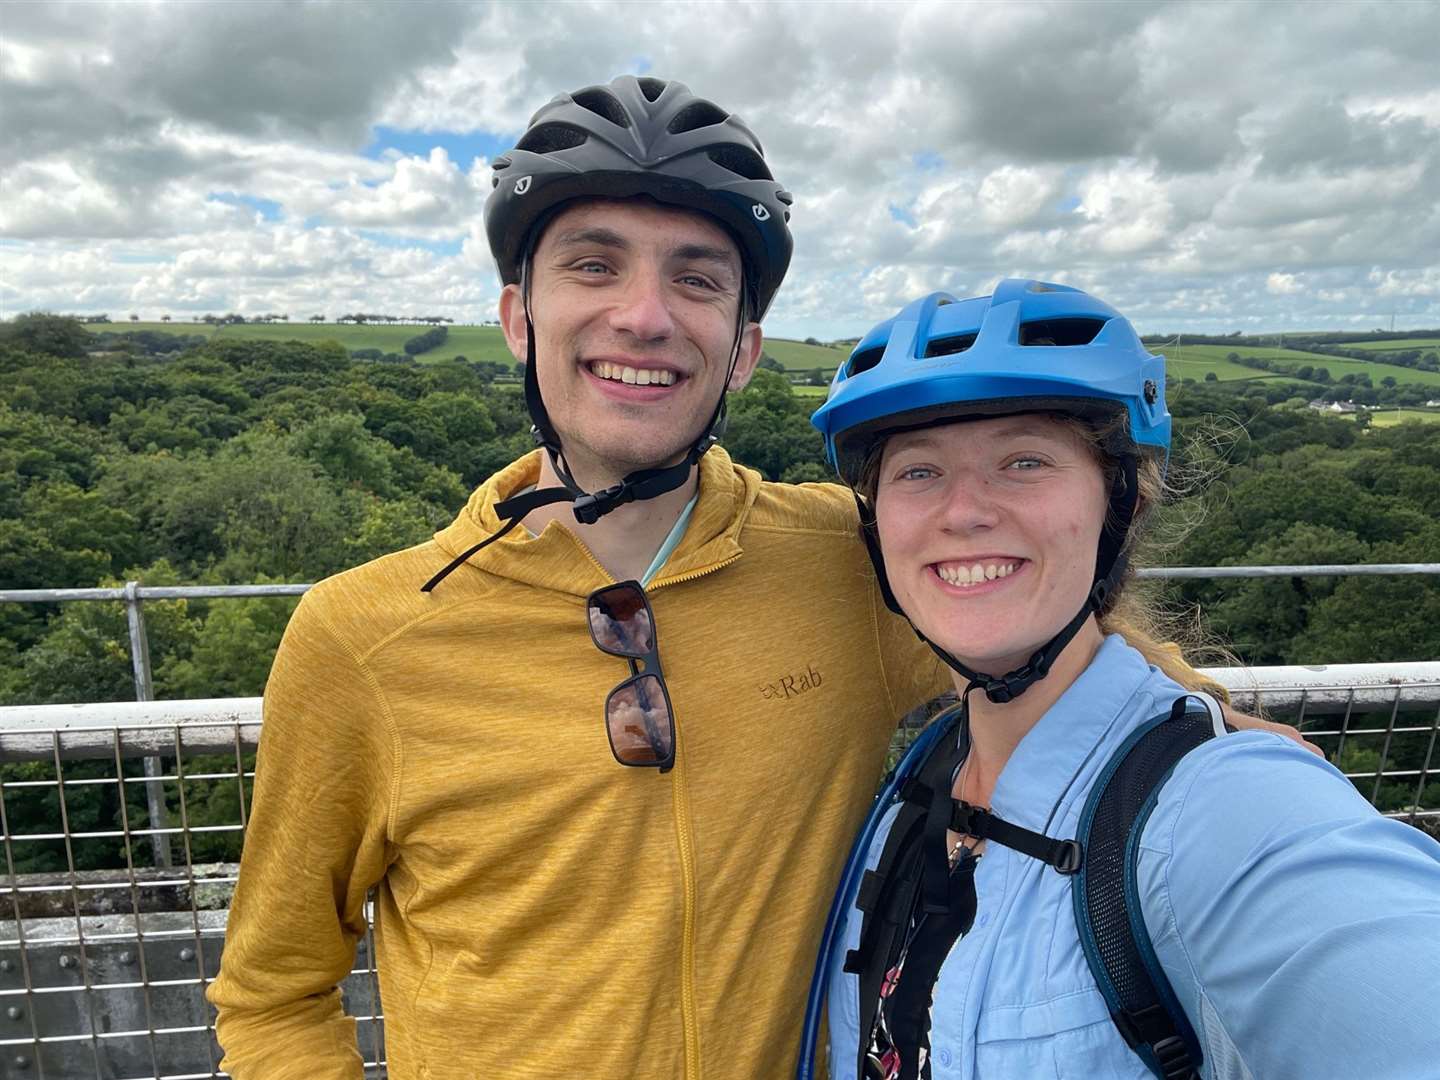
542,911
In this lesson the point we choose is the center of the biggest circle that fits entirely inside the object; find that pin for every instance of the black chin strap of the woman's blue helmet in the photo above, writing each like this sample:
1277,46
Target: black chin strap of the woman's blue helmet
1111,564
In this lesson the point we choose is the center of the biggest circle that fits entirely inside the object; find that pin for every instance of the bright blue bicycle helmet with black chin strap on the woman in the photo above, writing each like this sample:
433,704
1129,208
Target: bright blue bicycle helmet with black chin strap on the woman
1029,348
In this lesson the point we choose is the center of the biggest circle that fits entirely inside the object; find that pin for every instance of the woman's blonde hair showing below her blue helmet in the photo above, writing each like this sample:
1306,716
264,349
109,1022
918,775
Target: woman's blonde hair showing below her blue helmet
1134,610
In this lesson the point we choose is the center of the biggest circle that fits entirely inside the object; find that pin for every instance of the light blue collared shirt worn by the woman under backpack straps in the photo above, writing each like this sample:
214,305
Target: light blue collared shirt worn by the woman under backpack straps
1300,930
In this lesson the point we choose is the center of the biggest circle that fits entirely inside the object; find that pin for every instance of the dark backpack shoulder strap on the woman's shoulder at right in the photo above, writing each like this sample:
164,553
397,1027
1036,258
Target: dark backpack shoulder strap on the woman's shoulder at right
1107,896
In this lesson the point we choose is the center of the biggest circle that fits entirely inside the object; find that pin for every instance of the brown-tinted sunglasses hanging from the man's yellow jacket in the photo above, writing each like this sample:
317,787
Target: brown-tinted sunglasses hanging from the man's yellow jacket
639,719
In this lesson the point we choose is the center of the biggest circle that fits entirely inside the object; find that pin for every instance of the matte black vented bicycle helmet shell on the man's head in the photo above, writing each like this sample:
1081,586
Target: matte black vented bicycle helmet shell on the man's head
642,136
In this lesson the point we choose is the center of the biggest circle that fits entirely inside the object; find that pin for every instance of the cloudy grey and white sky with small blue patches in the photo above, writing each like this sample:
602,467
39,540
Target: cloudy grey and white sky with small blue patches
1202,166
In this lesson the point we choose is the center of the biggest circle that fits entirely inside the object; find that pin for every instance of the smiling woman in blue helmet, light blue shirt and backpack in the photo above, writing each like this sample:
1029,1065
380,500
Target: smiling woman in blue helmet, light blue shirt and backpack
1007,453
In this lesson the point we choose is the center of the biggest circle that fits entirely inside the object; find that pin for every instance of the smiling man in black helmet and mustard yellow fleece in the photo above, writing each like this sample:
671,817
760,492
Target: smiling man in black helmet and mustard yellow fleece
542,909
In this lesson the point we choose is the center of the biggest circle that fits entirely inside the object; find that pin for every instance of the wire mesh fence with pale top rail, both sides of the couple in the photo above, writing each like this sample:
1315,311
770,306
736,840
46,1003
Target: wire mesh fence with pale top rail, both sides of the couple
104,955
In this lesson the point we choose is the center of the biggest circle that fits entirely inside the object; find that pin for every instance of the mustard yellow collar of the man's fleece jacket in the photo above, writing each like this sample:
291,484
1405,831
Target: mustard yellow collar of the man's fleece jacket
557,559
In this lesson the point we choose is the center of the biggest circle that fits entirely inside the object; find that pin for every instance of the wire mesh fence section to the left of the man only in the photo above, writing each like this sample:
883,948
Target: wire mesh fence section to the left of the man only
104,955
